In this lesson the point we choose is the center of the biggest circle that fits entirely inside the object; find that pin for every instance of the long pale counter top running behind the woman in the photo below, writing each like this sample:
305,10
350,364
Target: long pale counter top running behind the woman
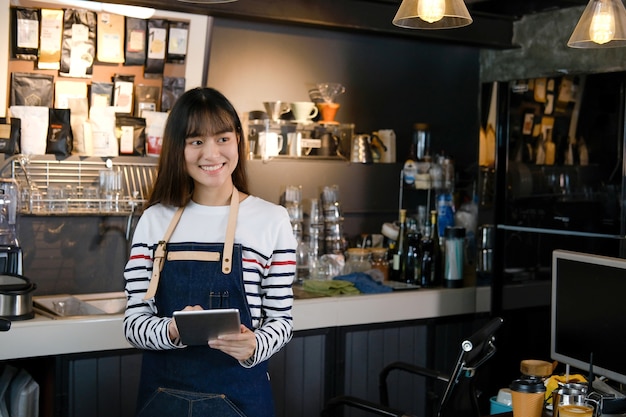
43,336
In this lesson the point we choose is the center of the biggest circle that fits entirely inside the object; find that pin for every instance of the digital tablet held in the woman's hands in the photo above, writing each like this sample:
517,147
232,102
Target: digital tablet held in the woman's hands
197,327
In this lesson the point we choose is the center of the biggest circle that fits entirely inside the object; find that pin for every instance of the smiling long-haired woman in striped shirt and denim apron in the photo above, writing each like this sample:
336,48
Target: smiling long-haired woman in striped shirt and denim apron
179,263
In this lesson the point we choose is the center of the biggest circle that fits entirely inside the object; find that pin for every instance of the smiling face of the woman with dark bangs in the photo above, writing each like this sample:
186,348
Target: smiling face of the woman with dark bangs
210,160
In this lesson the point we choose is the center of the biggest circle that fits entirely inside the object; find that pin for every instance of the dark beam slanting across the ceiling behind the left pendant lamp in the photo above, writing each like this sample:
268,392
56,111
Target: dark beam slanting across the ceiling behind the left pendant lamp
349,15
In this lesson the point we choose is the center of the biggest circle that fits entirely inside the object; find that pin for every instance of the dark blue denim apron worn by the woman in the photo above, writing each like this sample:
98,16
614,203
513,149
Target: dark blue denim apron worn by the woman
198,380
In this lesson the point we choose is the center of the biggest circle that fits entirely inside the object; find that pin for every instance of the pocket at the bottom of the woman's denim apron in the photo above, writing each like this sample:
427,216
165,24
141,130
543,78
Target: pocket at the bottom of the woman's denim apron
167,402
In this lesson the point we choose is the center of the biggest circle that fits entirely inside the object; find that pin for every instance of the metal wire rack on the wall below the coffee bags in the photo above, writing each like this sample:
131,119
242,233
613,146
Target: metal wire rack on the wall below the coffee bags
36,175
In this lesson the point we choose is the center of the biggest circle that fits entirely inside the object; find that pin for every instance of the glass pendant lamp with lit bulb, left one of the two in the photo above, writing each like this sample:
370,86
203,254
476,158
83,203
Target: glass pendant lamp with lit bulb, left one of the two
432,14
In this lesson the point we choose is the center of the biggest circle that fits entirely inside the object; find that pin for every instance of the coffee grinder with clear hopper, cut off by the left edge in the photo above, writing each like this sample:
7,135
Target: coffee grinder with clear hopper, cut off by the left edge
10,250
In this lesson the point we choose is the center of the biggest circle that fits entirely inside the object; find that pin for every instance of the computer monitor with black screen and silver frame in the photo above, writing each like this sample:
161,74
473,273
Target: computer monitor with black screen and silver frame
589,313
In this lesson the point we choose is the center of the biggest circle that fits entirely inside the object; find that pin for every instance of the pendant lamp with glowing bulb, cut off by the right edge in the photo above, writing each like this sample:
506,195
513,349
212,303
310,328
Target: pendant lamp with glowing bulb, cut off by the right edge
602,25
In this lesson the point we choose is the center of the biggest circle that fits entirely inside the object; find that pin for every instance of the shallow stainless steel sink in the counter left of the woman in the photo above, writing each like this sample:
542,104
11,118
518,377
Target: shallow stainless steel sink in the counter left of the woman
80,305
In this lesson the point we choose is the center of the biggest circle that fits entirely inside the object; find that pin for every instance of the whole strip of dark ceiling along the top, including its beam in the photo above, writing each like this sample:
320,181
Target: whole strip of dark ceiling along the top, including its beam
492,26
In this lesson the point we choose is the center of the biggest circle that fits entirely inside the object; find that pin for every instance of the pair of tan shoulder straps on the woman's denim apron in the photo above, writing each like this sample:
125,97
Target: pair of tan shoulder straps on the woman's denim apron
227,259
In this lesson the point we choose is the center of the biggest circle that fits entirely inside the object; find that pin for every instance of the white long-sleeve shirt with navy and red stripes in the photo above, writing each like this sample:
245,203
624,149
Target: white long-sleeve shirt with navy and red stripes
268,253
